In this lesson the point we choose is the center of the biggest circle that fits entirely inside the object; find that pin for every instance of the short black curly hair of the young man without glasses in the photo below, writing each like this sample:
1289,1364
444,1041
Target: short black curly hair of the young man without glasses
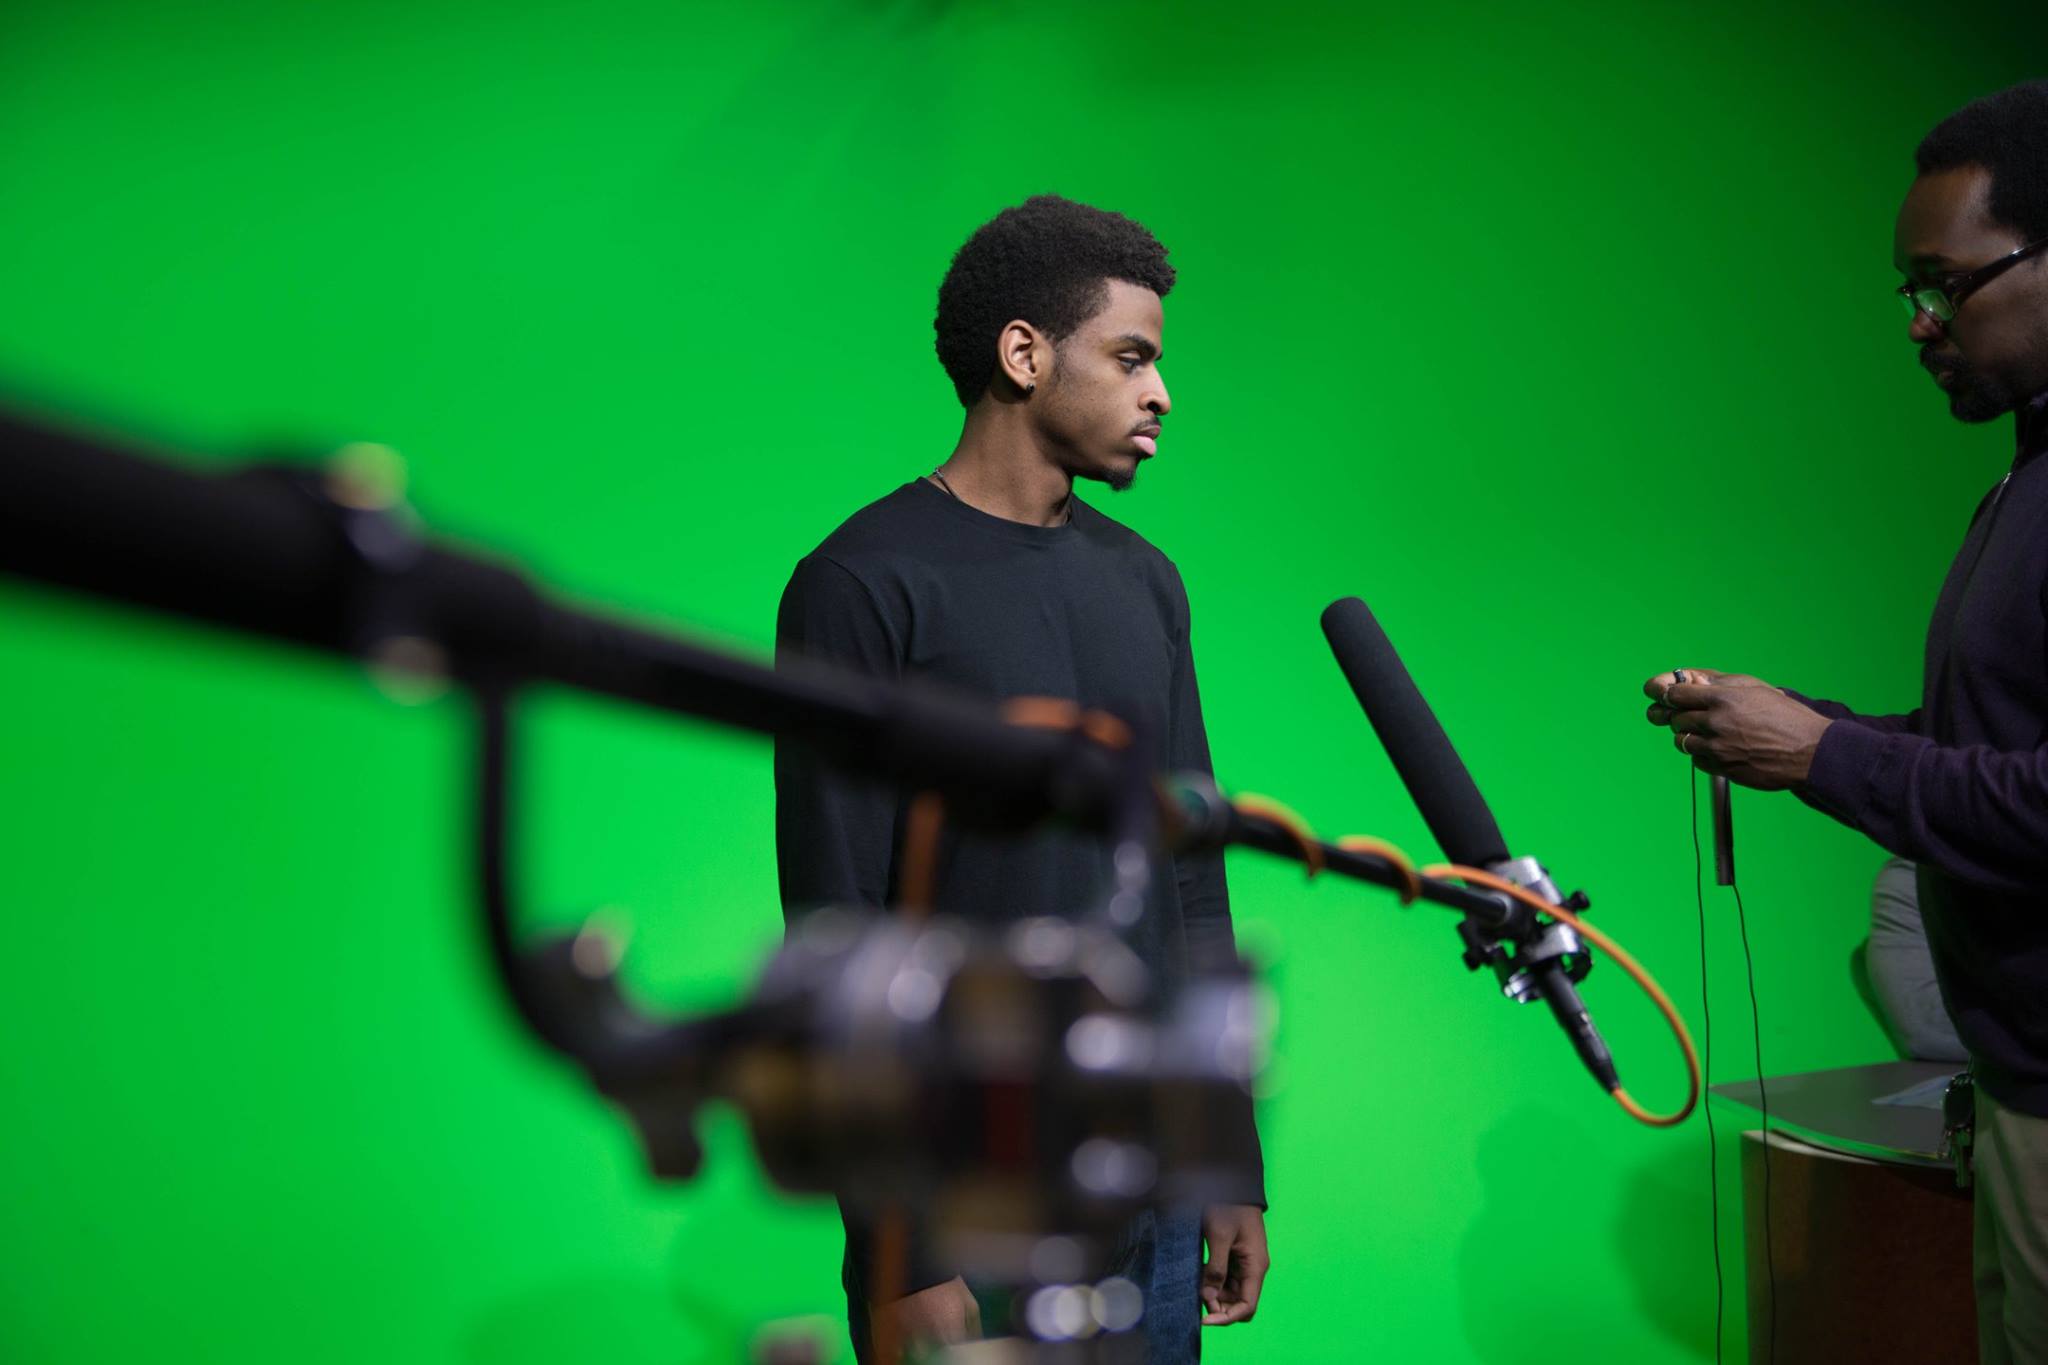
1050,263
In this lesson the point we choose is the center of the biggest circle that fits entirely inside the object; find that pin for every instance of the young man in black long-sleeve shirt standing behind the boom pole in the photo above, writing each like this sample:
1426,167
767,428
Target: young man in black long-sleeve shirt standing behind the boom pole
992,576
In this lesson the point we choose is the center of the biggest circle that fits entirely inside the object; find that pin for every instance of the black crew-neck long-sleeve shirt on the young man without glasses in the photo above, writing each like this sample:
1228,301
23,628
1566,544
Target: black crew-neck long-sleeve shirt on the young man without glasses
925,586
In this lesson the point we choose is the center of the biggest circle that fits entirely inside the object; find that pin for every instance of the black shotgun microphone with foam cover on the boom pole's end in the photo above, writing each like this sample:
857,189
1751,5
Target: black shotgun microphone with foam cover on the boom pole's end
1547,957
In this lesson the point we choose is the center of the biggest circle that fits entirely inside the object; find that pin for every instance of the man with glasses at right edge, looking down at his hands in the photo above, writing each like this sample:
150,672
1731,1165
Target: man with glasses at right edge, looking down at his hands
1959,785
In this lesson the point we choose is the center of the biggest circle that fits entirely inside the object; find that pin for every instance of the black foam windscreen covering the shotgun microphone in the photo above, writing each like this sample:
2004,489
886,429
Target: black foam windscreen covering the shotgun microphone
1422,754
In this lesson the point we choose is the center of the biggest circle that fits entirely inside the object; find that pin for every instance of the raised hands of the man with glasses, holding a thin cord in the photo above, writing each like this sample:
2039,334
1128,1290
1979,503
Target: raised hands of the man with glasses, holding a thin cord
1738,728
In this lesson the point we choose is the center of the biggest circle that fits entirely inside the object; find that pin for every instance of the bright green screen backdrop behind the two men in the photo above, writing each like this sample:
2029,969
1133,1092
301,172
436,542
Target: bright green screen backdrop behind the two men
1558,335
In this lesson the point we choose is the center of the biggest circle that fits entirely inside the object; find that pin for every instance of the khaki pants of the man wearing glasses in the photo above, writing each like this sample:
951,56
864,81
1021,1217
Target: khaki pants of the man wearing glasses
2012,1235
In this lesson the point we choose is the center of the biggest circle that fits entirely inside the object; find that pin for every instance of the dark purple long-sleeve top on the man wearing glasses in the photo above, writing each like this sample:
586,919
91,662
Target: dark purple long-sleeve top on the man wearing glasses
1961,783
